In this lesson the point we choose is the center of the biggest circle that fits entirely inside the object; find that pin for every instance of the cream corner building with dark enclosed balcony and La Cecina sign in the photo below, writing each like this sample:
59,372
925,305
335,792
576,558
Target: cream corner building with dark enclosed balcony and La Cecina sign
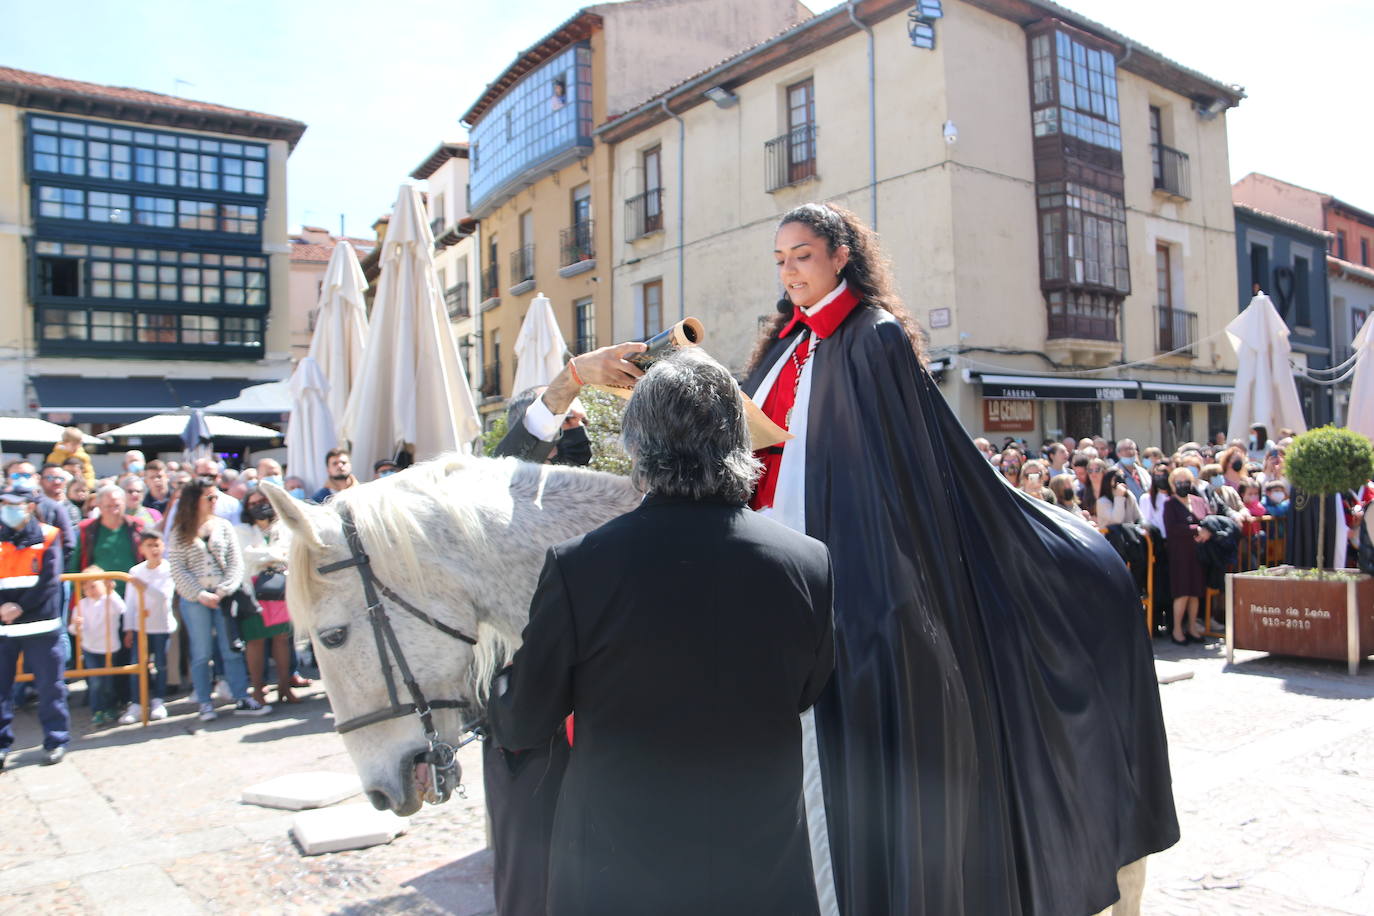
1031,238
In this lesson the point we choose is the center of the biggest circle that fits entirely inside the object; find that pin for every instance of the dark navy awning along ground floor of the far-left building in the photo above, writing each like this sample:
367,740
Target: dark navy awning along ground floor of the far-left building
74,399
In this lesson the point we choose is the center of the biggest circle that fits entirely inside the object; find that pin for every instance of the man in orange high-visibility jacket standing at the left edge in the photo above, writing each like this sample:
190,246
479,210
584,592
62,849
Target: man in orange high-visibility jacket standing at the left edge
31,619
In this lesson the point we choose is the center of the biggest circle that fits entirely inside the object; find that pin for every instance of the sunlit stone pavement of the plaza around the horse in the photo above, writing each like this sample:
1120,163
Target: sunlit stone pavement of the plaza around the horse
1273,770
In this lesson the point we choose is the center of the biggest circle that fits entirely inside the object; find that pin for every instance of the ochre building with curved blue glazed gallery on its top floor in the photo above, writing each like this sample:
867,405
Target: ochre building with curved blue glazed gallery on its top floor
541,185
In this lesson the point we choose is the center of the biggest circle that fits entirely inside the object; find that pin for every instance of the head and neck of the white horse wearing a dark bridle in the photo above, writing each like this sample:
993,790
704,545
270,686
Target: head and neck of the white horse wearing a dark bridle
461,539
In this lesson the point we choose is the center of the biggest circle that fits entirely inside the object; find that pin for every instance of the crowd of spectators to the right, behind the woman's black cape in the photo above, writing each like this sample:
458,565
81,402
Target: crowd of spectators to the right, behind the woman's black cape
1206,509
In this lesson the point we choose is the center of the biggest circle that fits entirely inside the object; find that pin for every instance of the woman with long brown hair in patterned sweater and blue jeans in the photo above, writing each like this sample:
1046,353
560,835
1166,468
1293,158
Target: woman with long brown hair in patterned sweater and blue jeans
207,569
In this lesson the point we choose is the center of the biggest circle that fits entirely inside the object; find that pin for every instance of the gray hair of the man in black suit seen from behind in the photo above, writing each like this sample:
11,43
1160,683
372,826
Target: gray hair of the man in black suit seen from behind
686,432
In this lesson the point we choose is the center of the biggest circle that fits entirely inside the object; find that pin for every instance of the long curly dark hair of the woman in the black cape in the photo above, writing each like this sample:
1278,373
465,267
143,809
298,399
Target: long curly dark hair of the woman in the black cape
868,271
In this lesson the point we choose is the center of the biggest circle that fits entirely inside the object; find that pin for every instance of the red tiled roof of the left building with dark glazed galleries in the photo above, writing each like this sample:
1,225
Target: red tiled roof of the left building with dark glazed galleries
56,94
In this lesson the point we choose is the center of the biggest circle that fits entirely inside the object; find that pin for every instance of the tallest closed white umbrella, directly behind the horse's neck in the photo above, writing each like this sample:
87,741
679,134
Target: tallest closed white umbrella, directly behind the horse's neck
413,392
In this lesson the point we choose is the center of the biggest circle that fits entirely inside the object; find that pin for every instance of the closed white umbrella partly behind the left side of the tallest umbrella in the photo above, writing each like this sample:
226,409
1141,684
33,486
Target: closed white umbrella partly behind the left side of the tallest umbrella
340,339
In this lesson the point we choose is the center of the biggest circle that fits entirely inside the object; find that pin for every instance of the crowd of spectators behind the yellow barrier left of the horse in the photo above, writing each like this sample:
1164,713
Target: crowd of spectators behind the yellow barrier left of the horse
204,540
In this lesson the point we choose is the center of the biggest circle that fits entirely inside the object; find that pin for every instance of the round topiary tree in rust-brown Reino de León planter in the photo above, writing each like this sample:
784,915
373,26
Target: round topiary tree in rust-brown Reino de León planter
1310,613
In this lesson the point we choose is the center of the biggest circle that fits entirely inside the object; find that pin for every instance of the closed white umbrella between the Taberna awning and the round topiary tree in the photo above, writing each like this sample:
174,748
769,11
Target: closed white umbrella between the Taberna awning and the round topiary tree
1265,389
